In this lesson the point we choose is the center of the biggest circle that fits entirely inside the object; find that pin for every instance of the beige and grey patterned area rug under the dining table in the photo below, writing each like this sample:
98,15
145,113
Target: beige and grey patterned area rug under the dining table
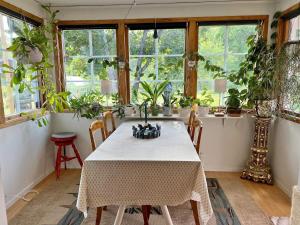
56,206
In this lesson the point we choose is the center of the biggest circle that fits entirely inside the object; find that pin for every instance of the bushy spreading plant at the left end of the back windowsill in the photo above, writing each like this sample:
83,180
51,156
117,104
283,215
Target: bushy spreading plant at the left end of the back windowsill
89,105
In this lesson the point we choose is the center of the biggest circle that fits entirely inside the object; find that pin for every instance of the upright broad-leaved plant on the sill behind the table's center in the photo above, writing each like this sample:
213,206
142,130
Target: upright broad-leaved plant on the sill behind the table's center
151,94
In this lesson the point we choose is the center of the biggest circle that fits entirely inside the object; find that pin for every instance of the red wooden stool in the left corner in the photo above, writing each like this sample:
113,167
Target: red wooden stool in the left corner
62,140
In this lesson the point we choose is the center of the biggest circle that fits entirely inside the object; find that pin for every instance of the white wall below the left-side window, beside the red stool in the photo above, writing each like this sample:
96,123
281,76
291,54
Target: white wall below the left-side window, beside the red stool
26,157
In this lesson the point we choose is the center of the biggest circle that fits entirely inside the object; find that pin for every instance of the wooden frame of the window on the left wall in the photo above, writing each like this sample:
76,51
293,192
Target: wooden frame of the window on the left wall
6,121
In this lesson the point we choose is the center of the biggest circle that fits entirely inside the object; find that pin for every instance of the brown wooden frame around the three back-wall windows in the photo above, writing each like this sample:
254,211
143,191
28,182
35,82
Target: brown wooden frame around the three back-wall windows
190,76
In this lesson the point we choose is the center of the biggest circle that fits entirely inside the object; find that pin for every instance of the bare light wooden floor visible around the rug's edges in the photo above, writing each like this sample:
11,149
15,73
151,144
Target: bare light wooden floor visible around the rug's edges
269,198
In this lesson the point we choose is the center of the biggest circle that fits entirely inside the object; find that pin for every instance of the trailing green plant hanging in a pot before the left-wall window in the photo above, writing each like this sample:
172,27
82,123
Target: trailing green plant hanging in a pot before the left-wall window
32,50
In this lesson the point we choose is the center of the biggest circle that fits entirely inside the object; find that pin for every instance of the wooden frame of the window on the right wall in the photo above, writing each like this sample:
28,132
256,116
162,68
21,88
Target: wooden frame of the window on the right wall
283,30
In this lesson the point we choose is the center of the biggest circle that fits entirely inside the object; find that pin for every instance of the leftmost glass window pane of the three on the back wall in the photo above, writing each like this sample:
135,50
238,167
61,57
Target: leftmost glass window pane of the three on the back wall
81,45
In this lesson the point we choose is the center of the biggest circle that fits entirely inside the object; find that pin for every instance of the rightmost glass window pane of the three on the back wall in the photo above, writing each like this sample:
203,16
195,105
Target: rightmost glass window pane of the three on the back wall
225,46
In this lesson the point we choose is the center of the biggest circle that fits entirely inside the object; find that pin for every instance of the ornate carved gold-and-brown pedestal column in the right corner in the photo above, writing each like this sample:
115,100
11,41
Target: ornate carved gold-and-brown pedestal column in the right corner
258,168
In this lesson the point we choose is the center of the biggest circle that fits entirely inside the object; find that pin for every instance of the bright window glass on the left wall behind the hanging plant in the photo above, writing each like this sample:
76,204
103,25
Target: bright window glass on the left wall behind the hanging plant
14,102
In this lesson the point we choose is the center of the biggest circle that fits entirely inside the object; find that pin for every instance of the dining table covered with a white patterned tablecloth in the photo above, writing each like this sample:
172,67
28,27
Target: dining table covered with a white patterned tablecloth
164,171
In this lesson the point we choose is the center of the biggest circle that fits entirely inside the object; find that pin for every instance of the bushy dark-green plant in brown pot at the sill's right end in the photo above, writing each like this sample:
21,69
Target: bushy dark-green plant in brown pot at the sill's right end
233,103
